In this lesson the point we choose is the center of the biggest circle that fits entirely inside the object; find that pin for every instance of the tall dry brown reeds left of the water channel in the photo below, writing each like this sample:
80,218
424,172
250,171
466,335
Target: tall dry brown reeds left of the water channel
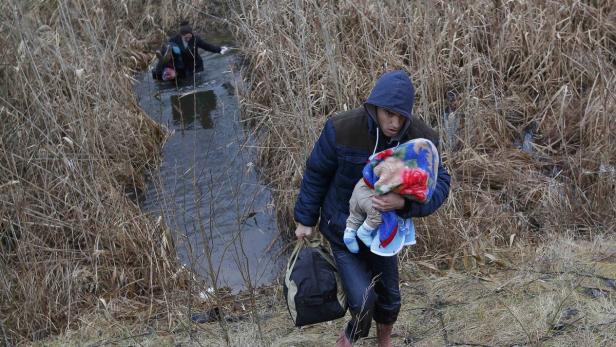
72,143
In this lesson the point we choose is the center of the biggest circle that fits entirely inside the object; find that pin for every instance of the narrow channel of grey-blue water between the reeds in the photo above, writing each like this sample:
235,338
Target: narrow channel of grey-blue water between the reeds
207,188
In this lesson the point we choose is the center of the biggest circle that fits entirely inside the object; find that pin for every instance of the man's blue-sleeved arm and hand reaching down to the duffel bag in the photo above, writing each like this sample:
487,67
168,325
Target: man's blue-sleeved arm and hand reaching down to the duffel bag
320,169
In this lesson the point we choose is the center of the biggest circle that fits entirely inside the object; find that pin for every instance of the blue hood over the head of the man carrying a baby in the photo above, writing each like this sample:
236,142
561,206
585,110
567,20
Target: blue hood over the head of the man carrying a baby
393,91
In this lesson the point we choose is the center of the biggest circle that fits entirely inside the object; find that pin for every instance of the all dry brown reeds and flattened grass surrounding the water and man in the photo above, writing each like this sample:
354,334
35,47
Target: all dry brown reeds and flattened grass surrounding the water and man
521,93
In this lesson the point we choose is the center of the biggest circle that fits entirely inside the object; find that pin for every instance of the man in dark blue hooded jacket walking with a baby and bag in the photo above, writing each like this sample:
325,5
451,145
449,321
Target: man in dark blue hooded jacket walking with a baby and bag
333,168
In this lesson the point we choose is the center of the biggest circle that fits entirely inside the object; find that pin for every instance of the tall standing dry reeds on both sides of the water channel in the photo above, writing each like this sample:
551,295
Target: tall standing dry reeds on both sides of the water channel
73,140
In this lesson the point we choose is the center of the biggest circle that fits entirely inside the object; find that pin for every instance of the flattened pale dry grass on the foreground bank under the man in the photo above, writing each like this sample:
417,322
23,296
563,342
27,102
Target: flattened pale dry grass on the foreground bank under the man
558,294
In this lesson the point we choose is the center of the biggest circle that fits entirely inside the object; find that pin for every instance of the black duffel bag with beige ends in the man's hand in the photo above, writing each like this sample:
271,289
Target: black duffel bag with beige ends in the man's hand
312,286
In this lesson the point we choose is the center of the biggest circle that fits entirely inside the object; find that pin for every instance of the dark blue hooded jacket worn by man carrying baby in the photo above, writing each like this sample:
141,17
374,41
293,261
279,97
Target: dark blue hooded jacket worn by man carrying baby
347,141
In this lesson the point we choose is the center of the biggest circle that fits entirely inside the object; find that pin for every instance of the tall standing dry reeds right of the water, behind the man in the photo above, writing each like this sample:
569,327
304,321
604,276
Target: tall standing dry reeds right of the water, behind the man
540,70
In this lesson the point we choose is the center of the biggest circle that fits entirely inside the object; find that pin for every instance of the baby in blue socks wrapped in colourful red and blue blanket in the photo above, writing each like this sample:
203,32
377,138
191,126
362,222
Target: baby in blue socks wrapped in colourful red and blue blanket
410,170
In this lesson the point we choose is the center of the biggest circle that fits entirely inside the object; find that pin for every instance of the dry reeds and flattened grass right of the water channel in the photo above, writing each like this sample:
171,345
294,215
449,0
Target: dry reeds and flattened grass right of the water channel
521,93
